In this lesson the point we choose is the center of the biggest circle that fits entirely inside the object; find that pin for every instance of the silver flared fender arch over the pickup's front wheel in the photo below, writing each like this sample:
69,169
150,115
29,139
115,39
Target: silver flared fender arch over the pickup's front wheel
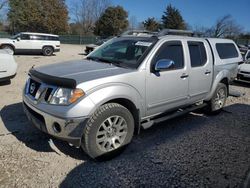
117,91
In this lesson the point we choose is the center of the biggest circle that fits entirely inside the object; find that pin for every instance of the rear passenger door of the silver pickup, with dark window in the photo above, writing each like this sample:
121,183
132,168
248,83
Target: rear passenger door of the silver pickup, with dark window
200,68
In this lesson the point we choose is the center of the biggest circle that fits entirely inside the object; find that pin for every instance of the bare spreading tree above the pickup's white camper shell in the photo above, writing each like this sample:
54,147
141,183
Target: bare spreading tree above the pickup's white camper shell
225,27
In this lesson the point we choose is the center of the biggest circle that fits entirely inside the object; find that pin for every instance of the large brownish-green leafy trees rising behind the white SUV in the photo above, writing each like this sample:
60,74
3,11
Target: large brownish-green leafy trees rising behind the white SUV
50,16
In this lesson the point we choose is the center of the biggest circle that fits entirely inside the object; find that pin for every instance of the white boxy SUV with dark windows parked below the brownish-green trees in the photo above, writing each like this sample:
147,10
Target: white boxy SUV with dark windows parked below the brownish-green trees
26,42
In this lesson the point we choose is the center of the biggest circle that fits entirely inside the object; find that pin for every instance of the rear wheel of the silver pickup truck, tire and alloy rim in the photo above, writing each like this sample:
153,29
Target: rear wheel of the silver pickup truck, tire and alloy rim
216,104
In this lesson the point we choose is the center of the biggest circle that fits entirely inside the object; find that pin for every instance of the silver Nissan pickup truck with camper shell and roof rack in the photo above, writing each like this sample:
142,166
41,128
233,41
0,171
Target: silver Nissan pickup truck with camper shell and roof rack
129,82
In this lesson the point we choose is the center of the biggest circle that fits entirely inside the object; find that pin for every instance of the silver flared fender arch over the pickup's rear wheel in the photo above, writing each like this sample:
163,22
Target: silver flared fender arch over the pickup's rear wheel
220,76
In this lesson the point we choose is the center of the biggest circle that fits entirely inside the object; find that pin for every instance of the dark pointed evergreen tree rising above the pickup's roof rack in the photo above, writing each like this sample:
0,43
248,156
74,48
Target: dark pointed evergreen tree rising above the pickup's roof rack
172,18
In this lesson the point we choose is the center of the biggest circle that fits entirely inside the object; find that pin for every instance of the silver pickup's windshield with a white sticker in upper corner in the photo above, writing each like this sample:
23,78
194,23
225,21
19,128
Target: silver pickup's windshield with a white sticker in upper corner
125,52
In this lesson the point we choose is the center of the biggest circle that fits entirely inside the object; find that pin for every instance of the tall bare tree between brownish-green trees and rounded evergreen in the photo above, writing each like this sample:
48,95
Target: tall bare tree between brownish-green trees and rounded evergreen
87,12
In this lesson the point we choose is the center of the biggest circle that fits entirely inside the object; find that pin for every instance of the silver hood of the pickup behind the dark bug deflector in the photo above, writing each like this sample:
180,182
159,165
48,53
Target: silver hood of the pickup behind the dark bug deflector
82,70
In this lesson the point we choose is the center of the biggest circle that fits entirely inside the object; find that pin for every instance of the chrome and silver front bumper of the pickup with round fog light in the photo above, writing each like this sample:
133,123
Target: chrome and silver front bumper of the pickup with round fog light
70,129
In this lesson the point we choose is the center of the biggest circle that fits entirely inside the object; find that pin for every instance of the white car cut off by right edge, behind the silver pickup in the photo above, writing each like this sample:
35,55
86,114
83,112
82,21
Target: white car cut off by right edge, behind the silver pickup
244,69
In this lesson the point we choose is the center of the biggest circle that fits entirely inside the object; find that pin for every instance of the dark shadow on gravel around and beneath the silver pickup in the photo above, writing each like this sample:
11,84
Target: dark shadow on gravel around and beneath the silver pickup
189,151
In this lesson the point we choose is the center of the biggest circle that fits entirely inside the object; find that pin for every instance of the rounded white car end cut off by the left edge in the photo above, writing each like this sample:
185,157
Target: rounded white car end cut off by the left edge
8,66
